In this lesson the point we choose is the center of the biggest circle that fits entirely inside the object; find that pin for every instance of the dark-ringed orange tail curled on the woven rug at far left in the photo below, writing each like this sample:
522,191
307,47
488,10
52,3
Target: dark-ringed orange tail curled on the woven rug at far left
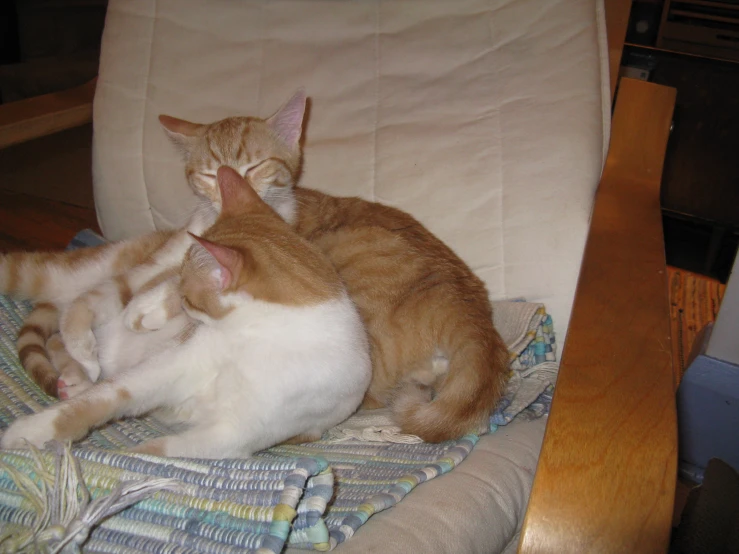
40,324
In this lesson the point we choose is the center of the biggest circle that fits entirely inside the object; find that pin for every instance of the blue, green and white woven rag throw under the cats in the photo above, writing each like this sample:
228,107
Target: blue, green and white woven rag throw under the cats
234,505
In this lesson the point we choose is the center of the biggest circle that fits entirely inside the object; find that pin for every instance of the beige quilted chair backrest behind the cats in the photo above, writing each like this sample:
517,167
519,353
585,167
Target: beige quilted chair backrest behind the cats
487,120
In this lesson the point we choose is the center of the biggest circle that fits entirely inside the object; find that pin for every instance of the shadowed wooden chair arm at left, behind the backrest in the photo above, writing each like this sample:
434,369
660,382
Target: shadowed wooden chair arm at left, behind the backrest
36,117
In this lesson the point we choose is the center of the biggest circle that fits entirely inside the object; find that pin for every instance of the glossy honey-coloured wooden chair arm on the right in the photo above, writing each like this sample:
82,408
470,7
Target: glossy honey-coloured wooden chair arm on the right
606,476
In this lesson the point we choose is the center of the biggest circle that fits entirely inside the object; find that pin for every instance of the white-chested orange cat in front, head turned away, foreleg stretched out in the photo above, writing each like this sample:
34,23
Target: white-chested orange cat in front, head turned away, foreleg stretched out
270,346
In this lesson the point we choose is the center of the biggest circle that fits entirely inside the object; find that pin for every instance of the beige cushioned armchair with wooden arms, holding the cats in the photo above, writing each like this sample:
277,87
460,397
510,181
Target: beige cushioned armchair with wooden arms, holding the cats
489,121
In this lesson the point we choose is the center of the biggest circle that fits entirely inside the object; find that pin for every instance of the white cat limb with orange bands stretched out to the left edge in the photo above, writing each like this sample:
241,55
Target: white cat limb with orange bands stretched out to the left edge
59,277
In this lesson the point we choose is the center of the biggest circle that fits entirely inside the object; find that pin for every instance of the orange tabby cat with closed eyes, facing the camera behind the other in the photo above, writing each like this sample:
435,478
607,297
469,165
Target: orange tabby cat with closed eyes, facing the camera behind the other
437,360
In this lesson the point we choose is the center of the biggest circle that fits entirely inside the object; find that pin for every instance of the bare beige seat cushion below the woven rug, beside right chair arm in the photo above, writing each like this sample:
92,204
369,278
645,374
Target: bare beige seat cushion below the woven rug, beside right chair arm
478,507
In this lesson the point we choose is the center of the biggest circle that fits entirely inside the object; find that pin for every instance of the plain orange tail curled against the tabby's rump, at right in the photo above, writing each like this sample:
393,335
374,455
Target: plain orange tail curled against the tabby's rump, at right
461,401
